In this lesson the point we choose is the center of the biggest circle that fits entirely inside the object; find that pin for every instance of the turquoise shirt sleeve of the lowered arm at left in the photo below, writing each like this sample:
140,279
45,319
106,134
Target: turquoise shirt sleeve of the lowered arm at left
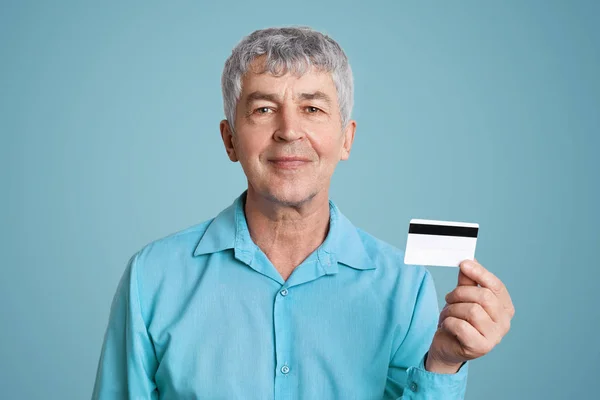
127,360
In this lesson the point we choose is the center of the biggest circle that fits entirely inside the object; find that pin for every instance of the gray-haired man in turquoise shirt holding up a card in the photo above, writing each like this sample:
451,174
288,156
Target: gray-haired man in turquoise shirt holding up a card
280,296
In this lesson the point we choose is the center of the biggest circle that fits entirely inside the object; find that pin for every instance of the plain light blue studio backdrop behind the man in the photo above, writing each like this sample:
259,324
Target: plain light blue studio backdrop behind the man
470,111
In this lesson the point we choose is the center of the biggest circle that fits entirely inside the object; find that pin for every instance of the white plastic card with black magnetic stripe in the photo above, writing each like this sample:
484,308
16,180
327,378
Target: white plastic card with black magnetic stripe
440,243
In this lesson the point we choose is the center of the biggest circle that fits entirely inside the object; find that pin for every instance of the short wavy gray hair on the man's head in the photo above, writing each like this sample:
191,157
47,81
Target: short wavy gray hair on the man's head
289,49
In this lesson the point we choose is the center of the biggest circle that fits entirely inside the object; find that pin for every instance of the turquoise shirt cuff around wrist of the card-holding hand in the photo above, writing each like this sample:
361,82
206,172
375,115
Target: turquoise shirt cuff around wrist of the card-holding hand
425,384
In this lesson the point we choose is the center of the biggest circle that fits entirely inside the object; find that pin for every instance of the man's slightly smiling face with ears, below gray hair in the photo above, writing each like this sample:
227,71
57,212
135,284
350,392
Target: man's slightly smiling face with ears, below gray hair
288,134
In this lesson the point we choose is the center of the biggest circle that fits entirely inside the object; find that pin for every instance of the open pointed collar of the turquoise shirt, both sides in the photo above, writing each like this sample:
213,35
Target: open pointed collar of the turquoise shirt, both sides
229,230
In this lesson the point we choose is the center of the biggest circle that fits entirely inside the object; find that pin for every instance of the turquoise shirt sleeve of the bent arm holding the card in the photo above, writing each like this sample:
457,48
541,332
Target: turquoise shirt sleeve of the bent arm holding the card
407,377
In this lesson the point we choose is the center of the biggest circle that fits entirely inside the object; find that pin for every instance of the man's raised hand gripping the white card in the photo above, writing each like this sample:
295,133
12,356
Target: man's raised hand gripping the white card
474,320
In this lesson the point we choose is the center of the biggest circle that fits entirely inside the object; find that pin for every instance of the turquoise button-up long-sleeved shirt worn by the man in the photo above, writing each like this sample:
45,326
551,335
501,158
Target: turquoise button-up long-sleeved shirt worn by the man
204,314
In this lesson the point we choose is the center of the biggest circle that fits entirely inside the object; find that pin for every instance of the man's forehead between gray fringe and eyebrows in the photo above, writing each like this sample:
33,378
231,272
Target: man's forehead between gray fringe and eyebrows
312,80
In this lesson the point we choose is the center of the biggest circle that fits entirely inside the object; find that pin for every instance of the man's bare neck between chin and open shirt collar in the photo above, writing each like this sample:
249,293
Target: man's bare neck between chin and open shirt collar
287,234
